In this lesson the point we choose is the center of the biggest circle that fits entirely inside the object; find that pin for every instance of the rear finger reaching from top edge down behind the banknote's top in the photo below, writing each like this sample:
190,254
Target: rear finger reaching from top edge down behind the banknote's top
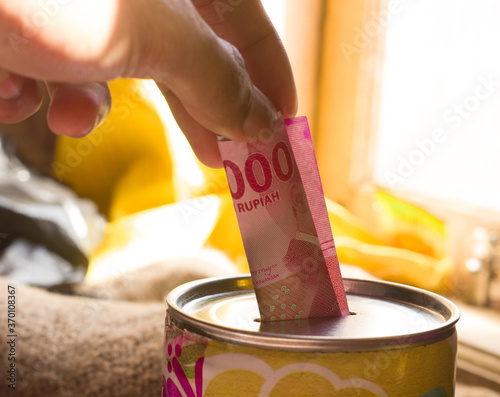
246,25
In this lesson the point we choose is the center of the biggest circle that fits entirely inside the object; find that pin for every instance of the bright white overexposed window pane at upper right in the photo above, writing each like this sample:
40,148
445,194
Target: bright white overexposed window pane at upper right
439,120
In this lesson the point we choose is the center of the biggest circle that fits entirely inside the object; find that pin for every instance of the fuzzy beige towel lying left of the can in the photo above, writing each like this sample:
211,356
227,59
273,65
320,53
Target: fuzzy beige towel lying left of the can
75,346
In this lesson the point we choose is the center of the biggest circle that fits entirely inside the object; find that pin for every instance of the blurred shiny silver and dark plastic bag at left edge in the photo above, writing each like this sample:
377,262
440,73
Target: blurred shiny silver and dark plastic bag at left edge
43,226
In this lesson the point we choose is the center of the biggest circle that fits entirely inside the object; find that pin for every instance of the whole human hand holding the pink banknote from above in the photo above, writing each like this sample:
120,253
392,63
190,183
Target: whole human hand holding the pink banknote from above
216,68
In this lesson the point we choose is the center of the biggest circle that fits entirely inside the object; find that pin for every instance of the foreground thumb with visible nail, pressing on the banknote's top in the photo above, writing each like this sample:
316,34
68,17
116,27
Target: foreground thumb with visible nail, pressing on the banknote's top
215,89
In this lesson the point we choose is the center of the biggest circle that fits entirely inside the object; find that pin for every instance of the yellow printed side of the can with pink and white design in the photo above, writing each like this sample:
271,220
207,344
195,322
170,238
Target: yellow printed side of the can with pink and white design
196,366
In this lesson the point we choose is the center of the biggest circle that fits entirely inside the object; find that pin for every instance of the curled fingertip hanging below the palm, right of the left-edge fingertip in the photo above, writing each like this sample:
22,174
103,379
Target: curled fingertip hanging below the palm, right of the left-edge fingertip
76,109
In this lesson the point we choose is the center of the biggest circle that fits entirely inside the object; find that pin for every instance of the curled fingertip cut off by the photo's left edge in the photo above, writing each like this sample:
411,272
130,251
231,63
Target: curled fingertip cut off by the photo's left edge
19,97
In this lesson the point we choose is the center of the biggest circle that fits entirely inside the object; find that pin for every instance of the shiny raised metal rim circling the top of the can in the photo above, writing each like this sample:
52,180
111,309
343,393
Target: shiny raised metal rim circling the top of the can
198,289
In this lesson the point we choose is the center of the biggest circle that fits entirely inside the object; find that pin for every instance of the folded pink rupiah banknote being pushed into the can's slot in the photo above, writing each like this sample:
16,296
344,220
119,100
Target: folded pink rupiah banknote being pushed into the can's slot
281,211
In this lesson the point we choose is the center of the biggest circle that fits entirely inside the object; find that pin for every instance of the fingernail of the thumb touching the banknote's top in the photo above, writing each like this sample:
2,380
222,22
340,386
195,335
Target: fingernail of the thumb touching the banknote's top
261,121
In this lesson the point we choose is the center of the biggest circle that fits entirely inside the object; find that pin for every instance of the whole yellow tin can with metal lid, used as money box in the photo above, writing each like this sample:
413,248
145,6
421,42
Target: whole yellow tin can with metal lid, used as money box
397,341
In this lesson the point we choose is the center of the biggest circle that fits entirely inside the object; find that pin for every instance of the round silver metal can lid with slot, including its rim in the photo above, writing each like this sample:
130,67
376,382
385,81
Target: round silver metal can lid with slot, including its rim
383,314
